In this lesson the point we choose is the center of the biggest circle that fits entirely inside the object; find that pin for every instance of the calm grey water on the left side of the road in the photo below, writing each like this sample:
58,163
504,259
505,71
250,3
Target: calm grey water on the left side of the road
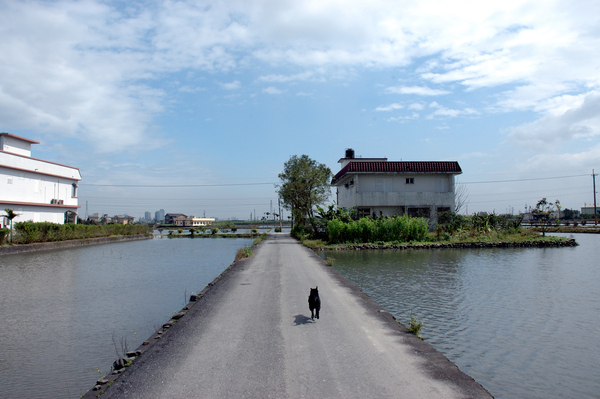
60,310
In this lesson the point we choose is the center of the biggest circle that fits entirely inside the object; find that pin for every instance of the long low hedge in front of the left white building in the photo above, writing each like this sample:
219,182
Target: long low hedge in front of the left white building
30,232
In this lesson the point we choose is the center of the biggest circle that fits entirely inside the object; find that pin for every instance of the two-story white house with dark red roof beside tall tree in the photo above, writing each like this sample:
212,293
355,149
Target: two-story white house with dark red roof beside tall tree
378,187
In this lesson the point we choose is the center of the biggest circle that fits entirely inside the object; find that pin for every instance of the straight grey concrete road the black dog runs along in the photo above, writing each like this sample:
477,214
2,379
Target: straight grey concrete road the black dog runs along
251,336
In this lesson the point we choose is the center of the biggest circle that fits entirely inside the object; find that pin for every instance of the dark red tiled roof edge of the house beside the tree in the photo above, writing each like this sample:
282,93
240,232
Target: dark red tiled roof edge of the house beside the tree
399,167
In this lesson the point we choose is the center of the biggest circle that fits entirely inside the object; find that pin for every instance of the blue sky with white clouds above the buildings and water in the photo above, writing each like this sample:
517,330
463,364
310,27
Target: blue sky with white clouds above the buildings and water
194,106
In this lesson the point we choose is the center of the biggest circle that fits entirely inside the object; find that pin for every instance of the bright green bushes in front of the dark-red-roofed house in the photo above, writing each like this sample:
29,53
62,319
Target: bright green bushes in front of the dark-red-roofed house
365,230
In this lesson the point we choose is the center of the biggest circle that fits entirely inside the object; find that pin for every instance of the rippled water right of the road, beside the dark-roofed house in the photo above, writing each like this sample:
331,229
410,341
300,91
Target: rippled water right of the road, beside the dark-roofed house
525,323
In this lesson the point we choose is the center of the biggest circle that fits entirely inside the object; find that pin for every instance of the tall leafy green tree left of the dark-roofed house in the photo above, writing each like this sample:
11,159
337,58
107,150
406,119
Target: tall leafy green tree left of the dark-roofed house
304,185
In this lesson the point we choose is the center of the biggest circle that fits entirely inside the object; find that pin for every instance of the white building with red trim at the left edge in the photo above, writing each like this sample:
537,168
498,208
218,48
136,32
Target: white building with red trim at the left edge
36,190
